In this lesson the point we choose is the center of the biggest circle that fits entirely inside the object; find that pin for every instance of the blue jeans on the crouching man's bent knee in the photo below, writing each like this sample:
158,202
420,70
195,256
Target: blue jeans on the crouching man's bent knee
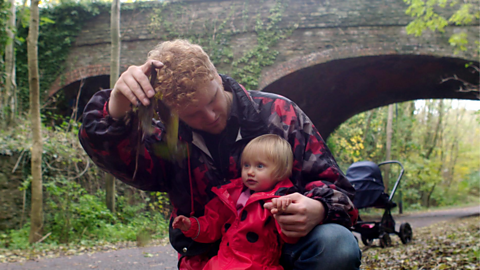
327,246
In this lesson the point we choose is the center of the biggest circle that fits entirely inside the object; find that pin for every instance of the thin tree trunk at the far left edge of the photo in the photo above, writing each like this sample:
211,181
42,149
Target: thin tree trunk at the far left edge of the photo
10,86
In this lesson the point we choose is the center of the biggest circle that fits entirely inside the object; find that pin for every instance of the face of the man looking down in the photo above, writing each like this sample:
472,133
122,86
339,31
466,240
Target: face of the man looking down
211,109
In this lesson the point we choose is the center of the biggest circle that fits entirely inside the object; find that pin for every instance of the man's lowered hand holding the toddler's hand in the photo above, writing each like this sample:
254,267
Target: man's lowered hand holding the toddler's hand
300,217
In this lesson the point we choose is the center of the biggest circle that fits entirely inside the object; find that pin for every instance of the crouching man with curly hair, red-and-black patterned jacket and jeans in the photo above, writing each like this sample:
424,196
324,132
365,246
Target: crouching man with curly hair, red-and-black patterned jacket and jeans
218,118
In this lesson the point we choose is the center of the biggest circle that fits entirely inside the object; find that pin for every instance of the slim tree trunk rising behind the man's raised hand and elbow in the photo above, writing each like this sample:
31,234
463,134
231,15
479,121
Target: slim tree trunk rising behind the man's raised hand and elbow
114,73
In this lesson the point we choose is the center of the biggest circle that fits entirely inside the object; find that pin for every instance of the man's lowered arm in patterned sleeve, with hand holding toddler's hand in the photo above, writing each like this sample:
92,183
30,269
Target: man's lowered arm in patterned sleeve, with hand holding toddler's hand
329,198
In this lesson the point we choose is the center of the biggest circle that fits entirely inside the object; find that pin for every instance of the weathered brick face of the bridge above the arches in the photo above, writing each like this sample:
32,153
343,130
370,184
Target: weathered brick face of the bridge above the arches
325,30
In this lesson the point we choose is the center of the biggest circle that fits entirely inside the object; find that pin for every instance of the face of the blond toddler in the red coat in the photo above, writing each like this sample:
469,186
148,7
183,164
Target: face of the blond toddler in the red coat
257,174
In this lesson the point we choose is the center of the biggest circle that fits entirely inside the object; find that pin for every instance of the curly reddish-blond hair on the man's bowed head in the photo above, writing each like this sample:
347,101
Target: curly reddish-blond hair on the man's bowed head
186,65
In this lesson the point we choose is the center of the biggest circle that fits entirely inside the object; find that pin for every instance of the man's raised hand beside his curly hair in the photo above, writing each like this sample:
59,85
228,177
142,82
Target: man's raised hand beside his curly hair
132,86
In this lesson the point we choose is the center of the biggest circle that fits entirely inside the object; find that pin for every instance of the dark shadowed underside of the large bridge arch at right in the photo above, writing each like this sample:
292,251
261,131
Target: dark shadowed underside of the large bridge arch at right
331,92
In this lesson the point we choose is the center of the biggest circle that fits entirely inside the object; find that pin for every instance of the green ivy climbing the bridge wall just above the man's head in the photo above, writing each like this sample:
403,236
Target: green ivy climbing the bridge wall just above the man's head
217,35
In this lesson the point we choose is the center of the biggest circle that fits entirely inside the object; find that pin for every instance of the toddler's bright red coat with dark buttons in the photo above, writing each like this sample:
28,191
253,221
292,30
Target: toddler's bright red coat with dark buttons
251,239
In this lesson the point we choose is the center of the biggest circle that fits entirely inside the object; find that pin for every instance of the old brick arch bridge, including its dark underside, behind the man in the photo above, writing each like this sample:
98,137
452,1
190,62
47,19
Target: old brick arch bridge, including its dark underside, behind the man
341,58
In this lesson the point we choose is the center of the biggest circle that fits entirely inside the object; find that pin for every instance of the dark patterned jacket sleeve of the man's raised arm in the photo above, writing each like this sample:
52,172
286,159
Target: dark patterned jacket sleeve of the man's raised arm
113,145
